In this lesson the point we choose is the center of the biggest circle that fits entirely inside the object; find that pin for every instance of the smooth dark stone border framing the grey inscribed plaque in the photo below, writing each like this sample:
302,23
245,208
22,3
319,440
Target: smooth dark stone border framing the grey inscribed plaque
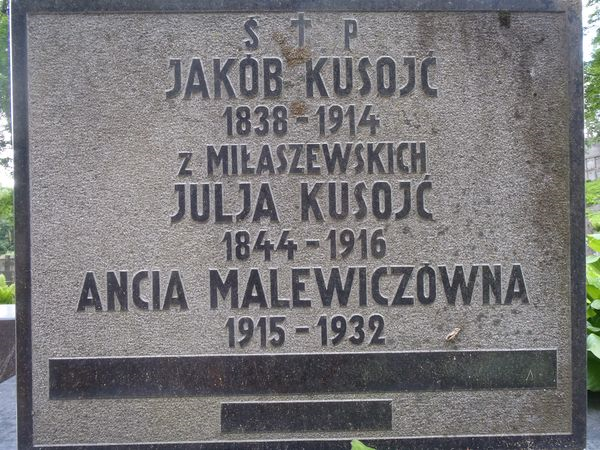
19,11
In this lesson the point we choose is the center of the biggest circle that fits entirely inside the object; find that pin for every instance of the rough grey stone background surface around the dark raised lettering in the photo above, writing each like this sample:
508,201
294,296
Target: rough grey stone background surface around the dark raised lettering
499,122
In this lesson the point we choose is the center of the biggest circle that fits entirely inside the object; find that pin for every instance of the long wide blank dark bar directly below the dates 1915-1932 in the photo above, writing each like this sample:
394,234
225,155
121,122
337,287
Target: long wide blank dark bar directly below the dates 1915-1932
286,374
